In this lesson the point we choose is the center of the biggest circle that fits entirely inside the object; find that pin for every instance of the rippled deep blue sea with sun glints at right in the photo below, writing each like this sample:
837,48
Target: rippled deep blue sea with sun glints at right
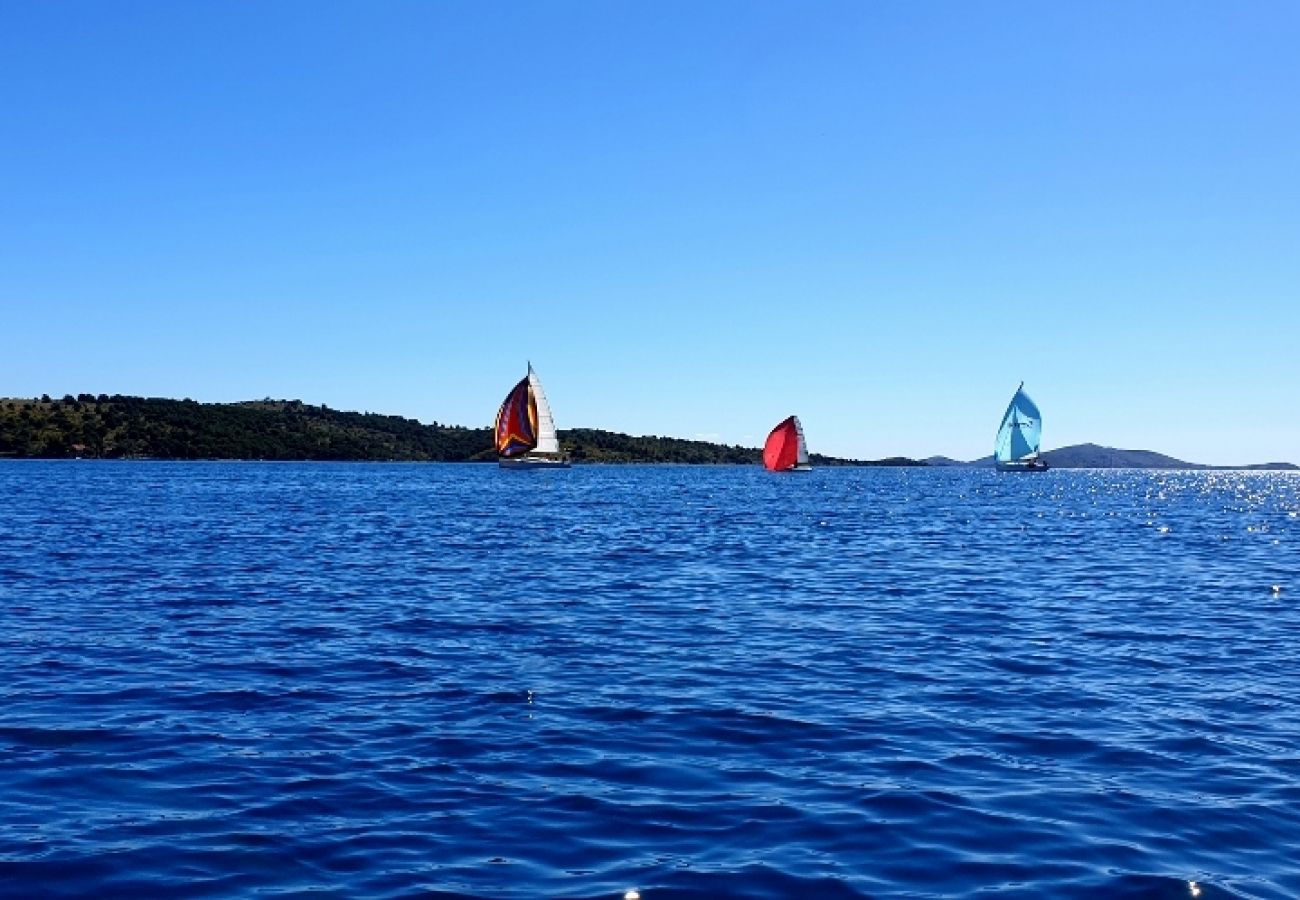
422,681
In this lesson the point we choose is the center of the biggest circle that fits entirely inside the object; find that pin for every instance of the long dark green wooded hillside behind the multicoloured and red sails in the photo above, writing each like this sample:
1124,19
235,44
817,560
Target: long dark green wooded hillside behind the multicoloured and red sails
118,427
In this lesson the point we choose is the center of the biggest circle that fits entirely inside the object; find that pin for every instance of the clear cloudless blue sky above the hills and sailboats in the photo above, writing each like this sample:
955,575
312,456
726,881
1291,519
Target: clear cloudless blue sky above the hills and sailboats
694,218
